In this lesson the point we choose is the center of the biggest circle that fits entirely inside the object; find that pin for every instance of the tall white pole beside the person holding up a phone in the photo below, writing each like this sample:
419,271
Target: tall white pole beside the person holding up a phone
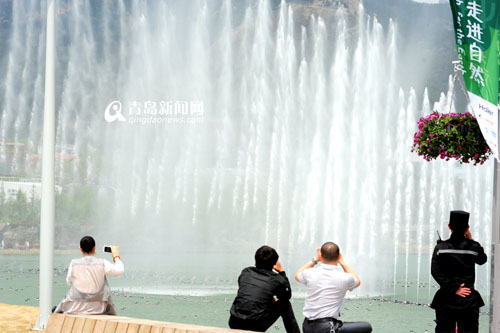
48,183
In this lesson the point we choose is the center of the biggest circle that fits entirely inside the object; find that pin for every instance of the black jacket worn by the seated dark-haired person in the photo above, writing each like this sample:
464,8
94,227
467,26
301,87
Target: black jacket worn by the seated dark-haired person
257,288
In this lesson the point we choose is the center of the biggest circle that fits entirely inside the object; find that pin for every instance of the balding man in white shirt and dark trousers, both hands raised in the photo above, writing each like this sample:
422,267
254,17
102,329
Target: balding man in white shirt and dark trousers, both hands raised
327,285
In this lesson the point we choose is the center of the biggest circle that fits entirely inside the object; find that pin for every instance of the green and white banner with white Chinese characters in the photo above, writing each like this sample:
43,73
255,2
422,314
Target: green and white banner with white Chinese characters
477,33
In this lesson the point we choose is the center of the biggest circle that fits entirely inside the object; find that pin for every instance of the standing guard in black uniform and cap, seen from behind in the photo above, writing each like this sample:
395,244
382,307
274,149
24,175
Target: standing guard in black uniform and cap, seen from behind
456,302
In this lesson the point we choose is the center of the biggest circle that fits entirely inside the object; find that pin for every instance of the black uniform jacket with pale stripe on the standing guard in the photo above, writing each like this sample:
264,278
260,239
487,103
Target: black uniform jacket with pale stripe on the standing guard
453,263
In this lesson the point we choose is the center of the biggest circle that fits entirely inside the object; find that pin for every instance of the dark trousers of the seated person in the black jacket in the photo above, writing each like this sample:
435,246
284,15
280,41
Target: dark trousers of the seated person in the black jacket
281,309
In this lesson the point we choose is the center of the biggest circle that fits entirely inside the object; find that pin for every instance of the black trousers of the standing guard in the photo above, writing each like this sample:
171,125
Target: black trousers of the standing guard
467,321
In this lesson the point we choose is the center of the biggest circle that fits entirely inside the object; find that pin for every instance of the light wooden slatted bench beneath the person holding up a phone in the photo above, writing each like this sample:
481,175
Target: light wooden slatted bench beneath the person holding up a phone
61,323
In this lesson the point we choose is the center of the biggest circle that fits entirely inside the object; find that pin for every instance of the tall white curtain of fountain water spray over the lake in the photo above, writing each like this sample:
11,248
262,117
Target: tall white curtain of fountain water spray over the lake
272,132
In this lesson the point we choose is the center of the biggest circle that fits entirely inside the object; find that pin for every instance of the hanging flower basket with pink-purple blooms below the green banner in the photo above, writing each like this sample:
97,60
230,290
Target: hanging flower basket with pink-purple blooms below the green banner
447,136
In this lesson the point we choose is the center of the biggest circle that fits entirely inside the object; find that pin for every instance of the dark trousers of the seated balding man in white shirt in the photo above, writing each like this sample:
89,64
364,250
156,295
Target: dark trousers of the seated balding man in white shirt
330,325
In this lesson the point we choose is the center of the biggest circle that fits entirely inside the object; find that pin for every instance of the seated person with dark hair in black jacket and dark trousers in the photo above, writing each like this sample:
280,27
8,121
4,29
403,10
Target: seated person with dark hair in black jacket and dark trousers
255,307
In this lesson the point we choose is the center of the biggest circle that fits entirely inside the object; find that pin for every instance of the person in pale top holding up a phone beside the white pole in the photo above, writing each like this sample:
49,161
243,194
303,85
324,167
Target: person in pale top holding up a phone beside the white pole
89,291
